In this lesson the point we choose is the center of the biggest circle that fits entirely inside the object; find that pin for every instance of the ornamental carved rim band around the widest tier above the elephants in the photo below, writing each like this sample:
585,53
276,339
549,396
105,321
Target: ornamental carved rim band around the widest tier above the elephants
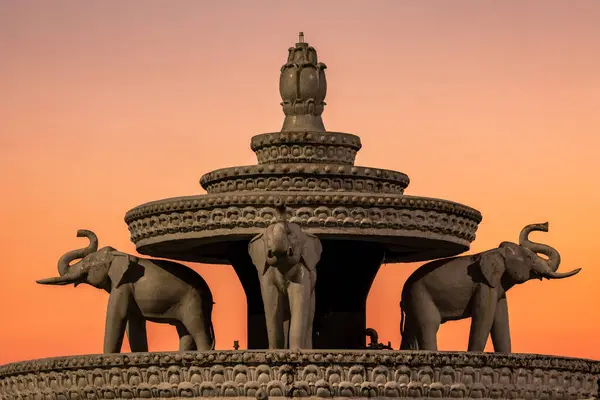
227,212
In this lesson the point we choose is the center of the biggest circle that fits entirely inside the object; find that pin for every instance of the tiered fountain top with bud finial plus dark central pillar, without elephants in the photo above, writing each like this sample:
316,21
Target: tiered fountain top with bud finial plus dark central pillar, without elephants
361,214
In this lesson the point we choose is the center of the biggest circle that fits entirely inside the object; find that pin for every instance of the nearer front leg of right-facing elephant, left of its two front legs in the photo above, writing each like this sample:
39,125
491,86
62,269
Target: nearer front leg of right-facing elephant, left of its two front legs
482,317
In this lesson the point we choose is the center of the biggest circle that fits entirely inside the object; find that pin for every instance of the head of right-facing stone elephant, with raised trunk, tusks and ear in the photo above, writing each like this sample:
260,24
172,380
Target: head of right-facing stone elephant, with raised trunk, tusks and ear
520,262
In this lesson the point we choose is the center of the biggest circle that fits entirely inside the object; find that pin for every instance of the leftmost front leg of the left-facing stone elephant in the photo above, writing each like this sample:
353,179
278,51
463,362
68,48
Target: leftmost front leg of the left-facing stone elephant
116,319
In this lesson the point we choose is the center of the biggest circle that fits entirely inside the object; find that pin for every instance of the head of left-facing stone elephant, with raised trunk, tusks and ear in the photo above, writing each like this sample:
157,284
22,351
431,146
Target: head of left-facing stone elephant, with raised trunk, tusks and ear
99,268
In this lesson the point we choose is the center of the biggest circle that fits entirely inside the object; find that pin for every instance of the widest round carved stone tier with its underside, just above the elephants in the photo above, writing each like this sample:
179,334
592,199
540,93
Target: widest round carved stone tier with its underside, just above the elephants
410,228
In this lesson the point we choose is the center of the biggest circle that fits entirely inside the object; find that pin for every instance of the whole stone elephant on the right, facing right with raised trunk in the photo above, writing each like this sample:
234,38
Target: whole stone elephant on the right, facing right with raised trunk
473,286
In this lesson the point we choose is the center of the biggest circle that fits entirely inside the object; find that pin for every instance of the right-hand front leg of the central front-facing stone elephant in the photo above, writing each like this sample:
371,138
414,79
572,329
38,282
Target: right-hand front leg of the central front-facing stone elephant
299,295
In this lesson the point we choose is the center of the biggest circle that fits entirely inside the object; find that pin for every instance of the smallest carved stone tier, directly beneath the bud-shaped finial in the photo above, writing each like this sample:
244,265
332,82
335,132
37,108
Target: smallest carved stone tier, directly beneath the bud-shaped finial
313,147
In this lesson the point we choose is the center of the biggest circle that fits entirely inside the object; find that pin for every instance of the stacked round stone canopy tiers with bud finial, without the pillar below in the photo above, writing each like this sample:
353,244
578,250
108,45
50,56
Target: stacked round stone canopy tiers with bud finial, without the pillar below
313,171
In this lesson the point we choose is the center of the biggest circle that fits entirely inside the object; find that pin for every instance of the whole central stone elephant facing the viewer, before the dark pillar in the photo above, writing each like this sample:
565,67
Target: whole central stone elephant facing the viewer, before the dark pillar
286,259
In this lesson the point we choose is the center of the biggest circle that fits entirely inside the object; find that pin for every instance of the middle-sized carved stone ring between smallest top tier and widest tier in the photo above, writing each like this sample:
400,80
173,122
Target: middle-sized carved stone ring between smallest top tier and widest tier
304,177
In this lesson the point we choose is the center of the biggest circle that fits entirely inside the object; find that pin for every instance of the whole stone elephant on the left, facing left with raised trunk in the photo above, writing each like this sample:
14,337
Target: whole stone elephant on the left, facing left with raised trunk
141,290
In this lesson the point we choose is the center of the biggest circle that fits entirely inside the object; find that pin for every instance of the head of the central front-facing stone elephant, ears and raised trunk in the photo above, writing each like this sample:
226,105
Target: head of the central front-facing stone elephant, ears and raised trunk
284,244
